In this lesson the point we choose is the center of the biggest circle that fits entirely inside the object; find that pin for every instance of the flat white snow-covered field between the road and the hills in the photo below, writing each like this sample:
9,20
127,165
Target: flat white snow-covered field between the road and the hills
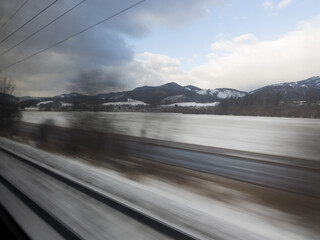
293,137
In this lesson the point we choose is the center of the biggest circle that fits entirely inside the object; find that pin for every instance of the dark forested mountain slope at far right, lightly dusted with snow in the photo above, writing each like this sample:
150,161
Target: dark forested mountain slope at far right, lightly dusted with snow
291,99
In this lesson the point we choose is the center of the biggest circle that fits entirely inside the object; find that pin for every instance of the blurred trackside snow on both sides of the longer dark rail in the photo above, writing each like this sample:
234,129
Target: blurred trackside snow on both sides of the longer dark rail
200,216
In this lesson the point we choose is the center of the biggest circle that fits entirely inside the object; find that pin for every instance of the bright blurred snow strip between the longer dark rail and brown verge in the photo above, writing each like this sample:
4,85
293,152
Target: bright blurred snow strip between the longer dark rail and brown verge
203,217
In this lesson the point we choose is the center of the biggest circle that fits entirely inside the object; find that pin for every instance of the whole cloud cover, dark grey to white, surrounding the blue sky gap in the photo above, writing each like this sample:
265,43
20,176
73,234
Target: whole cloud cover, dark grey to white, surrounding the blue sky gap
104,57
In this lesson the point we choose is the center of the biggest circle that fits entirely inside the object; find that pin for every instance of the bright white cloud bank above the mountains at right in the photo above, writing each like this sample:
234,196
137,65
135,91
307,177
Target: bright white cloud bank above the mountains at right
244,62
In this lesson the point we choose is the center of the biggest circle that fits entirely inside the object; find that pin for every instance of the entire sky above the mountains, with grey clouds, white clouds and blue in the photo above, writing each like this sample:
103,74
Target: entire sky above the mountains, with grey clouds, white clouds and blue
241,44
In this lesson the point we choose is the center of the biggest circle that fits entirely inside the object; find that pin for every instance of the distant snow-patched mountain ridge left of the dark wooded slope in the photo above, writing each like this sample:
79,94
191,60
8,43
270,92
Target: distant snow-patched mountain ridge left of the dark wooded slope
165,94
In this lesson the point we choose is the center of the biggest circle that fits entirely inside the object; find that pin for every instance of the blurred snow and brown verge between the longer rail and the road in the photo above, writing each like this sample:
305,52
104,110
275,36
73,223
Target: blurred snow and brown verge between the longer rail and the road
246,207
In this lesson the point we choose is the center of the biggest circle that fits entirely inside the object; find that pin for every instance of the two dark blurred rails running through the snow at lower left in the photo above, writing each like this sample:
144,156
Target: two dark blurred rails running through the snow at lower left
65,231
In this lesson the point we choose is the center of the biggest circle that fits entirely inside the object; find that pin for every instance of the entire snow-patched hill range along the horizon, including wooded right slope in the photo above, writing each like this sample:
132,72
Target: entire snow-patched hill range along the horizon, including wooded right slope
301,98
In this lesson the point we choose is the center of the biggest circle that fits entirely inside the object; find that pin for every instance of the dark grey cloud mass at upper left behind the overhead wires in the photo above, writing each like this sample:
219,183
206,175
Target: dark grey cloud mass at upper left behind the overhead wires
101,49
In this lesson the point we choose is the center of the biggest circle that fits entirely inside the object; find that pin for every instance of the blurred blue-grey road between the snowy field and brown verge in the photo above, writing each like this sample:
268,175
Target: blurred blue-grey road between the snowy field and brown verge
283,176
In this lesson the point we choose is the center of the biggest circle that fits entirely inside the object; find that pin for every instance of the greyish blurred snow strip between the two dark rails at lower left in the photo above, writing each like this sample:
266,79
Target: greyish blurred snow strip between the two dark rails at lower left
86,216
